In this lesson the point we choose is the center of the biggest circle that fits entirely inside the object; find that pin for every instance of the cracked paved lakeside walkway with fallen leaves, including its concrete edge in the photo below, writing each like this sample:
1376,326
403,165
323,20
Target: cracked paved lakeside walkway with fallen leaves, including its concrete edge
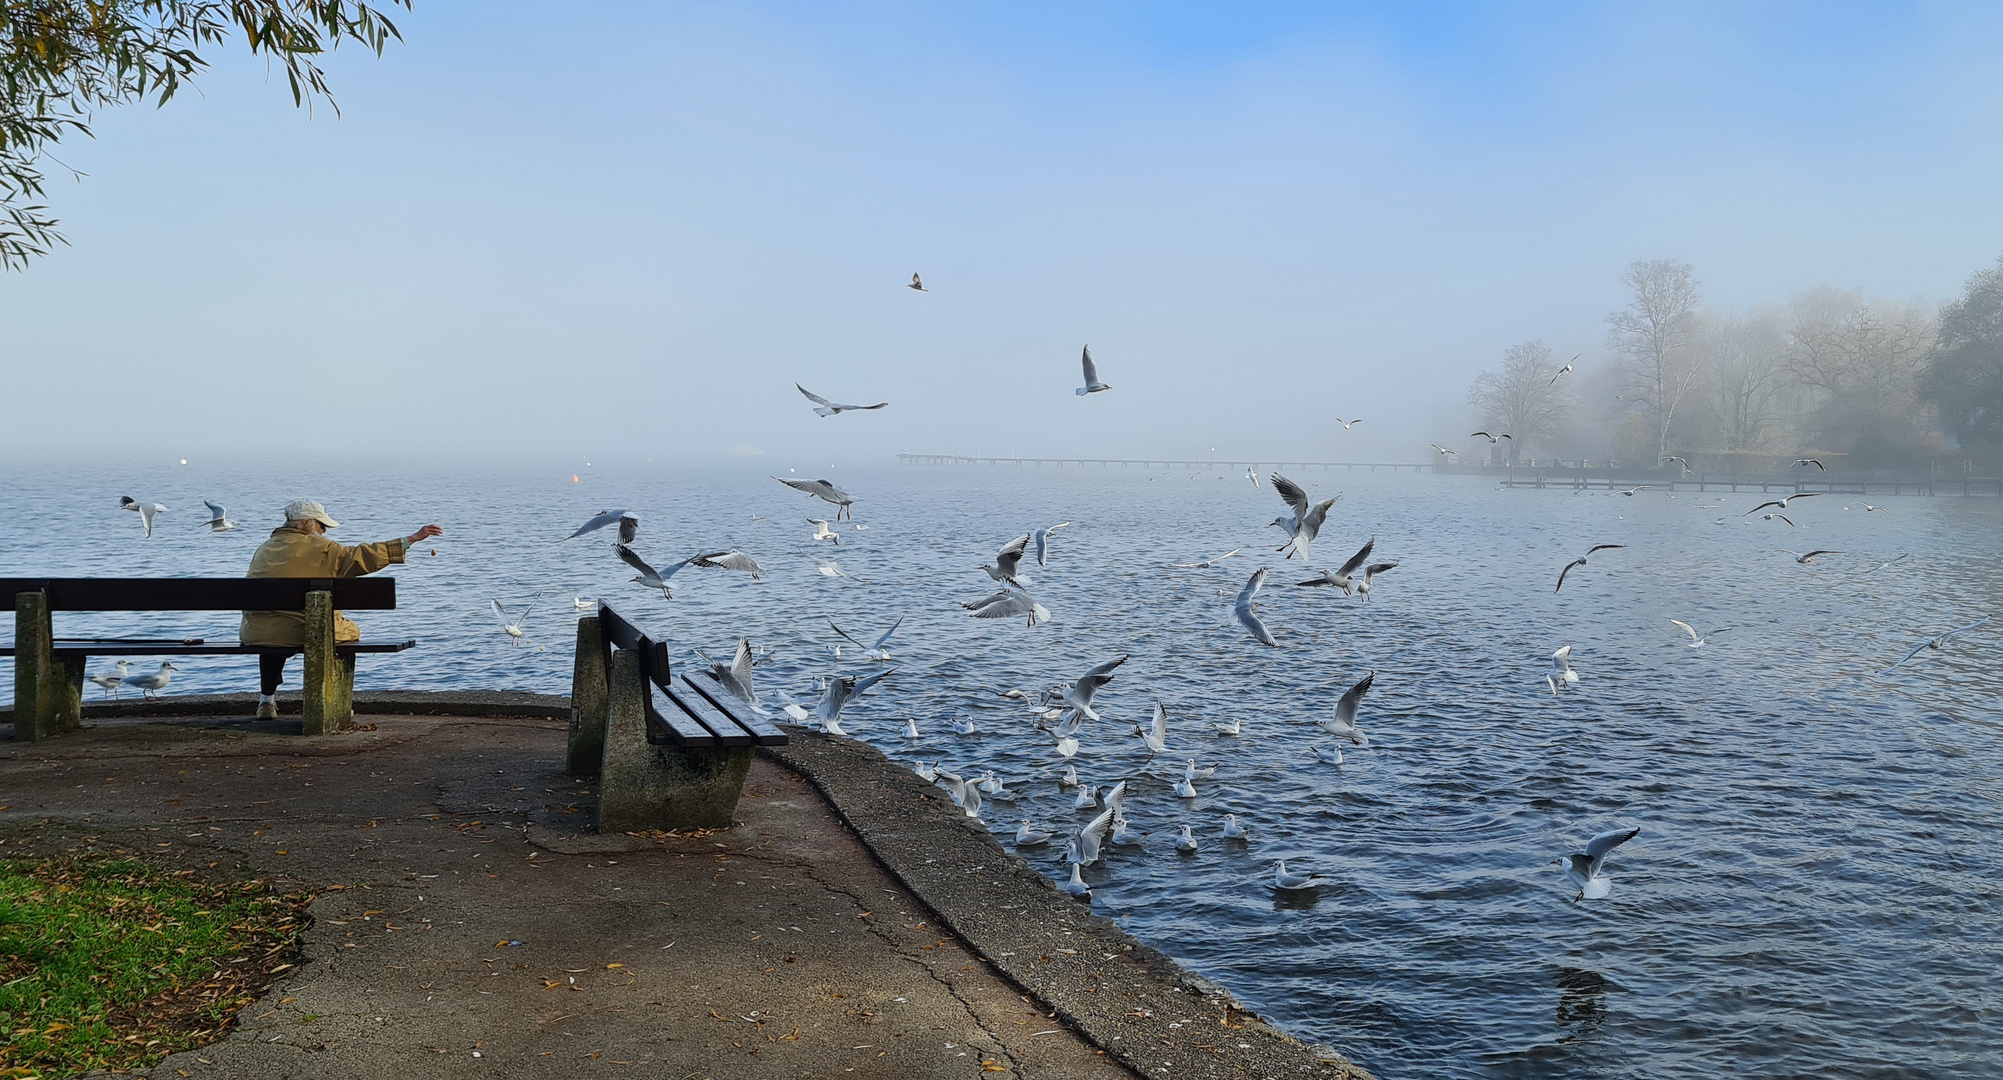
472,923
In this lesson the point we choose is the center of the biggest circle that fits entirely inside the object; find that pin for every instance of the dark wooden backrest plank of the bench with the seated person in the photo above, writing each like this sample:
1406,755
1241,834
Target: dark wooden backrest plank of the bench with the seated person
201,594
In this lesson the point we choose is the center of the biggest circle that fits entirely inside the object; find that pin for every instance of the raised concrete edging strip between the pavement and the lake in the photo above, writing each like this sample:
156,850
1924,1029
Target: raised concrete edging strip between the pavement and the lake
1121,995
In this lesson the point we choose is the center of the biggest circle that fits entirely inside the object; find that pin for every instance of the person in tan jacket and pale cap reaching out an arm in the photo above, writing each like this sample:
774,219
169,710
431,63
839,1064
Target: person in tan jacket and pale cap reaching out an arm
301,550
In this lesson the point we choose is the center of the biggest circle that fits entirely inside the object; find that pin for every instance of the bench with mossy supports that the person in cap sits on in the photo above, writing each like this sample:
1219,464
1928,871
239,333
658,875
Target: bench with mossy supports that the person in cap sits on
49,672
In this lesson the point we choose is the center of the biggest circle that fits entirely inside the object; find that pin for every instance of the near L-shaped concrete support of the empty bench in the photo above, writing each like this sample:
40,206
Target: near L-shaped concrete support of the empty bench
646,786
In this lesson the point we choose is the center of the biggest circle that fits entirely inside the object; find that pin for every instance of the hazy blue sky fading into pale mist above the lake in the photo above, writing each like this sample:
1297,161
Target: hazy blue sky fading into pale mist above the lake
624,231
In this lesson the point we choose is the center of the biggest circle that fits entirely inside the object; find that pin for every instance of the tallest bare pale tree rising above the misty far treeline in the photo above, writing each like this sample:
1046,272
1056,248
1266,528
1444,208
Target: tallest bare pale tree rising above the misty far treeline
1651,338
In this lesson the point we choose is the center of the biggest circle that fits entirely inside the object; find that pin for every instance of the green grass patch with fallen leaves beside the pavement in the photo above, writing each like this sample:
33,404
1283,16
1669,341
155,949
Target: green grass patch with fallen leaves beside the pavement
115,963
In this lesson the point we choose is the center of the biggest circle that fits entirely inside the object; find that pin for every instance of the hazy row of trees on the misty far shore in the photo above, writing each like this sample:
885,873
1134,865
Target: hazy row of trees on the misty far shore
1850,380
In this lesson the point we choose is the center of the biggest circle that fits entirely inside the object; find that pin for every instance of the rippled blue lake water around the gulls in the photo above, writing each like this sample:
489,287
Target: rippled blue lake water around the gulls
1818,885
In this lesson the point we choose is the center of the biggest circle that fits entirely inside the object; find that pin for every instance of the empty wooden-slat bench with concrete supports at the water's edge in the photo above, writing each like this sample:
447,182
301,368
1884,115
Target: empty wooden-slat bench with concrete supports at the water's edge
672,750
